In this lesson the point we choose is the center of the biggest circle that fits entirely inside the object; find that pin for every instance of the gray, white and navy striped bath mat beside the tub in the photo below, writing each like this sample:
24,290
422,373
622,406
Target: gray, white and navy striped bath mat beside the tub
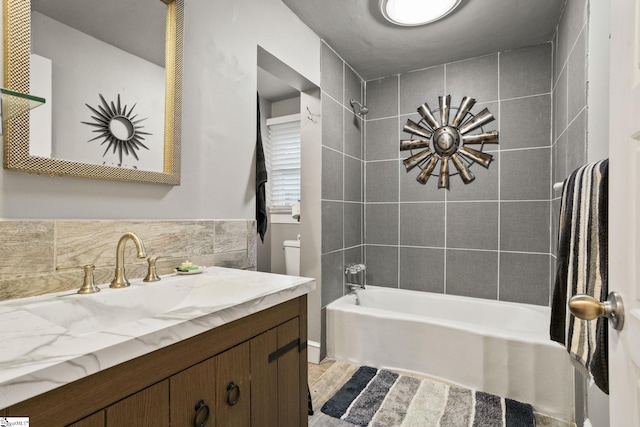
381,398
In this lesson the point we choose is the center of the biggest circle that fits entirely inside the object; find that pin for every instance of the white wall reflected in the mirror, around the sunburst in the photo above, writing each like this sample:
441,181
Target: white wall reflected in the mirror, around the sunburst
102,72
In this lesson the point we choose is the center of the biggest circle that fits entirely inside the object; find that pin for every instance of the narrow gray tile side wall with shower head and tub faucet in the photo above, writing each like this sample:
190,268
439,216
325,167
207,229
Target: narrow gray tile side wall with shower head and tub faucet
342,173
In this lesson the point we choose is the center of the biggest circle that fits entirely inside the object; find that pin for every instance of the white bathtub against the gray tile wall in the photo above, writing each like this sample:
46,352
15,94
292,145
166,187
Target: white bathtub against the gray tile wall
493,346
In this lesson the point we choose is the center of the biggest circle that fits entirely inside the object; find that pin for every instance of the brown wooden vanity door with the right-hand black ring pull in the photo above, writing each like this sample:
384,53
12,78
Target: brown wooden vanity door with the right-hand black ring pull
233,387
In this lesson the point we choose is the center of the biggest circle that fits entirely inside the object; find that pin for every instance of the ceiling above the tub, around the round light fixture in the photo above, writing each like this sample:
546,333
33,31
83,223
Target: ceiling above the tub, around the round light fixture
375,48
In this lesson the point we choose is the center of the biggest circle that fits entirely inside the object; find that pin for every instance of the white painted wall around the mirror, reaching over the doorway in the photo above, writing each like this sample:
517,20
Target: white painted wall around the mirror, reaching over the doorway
218,122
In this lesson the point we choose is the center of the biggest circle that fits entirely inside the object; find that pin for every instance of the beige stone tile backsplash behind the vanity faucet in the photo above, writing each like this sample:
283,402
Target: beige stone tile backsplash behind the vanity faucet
41,256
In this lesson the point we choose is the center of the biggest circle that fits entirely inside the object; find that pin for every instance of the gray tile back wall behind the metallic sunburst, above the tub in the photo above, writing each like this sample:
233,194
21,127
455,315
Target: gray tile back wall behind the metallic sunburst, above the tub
490,238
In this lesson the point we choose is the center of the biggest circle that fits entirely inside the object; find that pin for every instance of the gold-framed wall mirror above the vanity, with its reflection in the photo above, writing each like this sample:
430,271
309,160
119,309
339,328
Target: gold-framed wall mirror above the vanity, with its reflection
111,73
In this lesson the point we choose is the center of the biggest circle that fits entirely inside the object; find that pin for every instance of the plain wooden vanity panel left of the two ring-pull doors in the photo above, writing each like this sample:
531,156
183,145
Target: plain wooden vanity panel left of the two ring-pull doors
146,408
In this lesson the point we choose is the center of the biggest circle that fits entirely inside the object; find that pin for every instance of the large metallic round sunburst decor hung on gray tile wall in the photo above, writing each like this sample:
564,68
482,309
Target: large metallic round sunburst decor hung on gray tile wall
440,141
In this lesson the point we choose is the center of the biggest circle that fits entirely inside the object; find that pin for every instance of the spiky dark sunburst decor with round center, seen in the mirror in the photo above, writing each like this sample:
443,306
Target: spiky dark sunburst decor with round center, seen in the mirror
117,126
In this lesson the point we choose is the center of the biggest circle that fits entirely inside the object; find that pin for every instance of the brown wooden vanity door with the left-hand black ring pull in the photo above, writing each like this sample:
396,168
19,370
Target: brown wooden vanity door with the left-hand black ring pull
193,395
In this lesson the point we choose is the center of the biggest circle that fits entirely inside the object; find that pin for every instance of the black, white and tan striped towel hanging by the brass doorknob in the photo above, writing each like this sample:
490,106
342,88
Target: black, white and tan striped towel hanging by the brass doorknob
582,267
